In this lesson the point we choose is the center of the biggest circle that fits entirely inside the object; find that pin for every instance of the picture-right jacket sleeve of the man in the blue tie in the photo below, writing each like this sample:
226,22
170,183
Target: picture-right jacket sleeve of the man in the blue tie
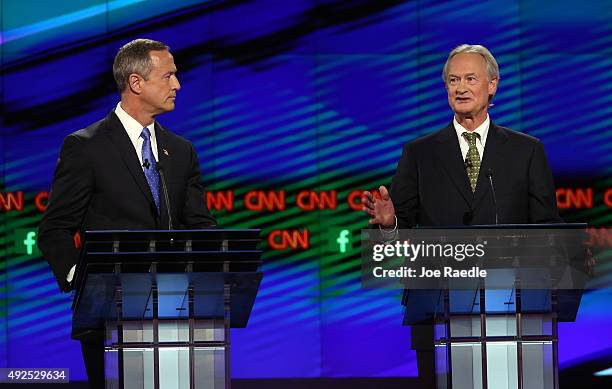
195,214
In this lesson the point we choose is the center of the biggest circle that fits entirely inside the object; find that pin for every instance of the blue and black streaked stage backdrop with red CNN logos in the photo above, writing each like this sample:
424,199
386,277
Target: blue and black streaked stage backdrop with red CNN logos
294,108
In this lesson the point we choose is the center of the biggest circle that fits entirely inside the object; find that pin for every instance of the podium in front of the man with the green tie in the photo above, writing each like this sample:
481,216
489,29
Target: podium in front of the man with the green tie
502,332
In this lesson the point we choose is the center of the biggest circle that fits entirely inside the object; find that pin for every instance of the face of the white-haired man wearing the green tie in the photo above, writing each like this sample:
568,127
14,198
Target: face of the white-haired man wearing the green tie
468,85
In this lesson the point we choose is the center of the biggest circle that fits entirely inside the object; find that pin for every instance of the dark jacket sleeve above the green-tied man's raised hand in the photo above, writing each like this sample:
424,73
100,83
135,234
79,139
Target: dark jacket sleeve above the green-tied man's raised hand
404,190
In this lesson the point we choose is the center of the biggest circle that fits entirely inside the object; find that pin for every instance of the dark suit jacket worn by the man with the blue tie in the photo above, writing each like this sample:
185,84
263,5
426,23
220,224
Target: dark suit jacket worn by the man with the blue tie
99,184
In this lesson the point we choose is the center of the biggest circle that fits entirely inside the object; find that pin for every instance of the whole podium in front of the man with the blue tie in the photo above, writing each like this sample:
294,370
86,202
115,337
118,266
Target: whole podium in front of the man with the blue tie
166,301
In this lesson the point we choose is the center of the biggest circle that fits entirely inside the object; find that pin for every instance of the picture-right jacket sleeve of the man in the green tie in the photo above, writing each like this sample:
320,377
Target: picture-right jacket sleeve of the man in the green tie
542,197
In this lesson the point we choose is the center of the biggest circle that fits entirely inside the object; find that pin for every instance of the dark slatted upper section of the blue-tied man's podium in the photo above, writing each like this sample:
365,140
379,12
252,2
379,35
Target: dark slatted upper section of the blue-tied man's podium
130,263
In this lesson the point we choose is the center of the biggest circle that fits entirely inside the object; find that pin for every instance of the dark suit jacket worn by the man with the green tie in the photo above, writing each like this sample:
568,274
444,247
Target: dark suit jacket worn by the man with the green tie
431,187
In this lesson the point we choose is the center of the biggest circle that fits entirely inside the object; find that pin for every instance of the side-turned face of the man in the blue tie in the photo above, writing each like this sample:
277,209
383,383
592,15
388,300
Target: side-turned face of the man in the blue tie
159,89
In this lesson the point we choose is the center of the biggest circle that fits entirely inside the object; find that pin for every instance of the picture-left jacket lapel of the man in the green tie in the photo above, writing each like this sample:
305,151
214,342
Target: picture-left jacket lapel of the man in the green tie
449,154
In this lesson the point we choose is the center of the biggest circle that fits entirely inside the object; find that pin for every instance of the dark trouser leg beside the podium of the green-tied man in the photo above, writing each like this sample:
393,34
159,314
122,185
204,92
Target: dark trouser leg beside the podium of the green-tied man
423,342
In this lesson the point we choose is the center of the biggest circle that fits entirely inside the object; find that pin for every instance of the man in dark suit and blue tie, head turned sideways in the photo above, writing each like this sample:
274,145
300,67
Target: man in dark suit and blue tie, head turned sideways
109,175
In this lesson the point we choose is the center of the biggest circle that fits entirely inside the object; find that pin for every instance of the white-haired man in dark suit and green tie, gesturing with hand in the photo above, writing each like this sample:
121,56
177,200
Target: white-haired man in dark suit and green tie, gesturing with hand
448,178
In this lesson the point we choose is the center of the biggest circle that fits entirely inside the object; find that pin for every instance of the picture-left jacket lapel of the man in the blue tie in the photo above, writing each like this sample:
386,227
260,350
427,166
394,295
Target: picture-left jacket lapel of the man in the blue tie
122,142
